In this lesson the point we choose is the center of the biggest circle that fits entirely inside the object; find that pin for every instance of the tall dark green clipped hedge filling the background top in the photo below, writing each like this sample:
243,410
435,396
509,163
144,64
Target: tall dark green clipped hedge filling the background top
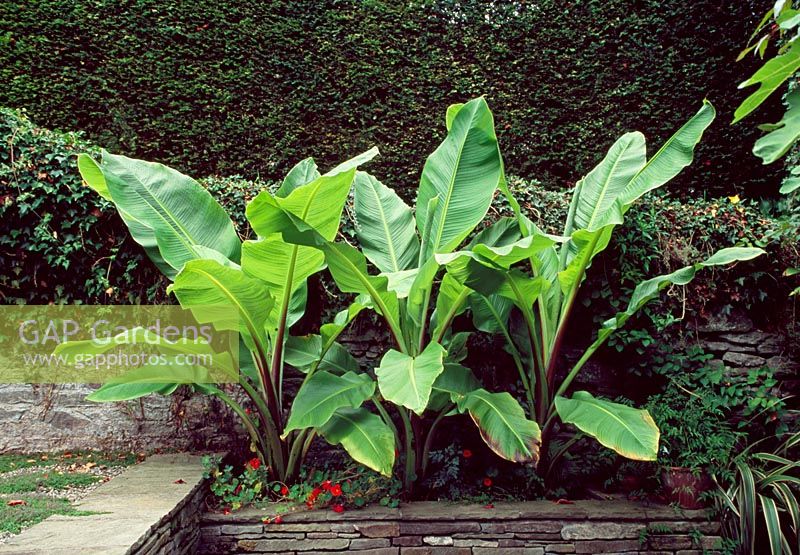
228,87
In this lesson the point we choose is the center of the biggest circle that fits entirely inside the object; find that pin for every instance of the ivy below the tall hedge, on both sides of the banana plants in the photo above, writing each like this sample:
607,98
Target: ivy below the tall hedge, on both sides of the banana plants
60,242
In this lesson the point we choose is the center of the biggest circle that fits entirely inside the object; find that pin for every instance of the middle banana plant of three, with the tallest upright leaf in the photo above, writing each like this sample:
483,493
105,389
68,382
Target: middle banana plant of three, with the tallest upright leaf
421,379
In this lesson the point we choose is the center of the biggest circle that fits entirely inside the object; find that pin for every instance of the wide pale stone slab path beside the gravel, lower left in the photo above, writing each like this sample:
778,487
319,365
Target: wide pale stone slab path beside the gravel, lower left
128,507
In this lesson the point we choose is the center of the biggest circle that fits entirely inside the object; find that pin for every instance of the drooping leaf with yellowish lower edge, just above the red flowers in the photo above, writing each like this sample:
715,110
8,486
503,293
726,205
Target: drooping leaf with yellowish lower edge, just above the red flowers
364,436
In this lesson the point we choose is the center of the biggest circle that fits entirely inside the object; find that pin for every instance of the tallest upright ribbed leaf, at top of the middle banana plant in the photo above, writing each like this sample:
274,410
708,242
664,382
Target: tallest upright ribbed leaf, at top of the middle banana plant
463,173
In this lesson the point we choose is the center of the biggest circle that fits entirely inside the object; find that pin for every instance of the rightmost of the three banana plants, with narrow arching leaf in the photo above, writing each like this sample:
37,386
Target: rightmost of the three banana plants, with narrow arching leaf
528,296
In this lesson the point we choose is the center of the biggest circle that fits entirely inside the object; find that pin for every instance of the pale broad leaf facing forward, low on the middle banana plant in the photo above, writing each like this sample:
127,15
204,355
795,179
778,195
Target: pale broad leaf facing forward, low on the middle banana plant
407,381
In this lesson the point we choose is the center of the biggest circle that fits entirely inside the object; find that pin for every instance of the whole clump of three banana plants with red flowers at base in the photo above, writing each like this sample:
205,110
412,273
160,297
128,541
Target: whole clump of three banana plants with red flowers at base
417,270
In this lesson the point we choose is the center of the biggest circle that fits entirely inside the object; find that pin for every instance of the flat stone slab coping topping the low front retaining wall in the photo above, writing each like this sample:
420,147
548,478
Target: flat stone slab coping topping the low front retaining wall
591,510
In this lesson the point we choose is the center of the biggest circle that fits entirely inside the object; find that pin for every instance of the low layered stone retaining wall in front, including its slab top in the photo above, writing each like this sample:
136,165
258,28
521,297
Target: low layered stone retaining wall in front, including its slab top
532,528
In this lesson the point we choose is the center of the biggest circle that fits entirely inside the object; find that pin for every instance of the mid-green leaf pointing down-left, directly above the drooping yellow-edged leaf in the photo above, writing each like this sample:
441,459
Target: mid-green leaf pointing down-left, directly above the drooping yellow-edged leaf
325,393
